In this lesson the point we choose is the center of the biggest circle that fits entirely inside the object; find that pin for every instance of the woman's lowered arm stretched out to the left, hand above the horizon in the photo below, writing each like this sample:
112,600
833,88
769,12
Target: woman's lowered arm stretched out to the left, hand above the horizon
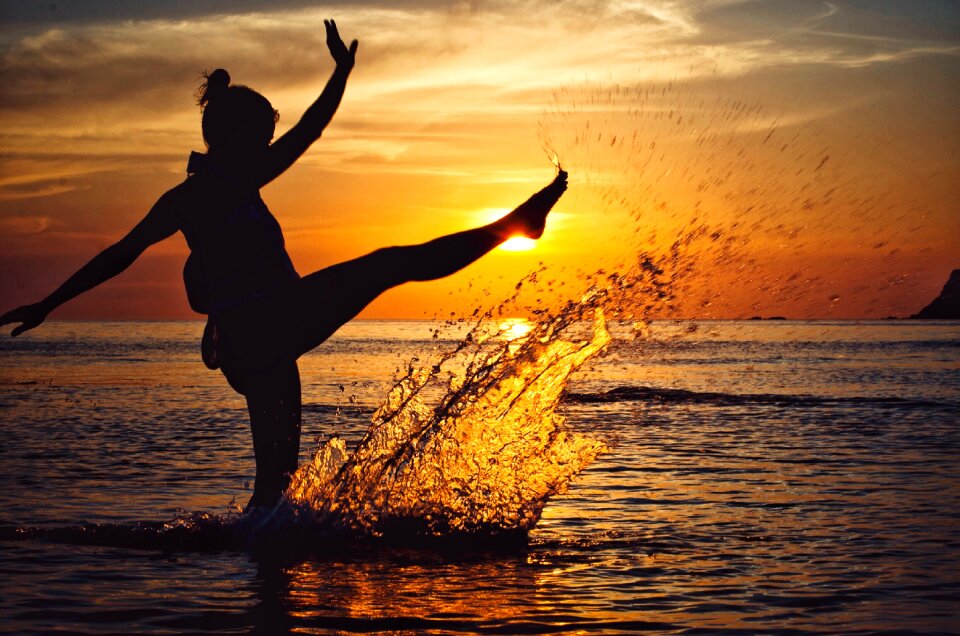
159,223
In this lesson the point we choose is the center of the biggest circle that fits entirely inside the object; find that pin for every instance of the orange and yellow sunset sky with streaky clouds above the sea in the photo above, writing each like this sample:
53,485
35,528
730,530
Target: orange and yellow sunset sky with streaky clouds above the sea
821,140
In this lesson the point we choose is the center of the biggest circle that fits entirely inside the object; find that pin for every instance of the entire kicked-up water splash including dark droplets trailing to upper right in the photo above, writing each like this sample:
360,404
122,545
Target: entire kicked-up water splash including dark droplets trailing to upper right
474,444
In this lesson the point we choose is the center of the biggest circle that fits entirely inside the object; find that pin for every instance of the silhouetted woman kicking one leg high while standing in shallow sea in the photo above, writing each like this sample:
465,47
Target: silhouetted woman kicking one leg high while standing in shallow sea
262,315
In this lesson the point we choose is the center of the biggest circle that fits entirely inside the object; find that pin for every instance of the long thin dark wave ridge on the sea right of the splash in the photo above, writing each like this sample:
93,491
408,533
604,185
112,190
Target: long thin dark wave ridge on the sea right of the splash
684,396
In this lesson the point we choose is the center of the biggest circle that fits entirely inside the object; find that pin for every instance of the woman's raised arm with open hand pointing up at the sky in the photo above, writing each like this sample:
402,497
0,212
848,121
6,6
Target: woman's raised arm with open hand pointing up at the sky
286,150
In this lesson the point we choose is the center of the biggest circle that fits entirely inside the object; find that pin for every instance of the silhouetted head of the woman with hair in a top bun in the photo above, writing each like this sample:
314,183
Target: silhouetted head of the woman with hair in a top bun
234,117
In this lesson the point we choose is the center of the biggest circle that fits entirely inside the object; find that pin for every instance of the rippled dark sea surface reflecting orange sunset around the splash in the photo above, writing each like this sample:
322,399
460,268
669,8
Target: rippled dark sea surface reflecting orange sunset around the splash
762,476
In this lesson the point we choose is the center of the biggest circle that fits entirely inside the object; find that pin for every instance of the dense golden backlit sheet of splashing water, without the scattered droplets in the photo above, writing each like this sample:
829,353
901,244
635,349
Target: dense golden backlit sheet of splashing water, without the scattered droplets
473,451
